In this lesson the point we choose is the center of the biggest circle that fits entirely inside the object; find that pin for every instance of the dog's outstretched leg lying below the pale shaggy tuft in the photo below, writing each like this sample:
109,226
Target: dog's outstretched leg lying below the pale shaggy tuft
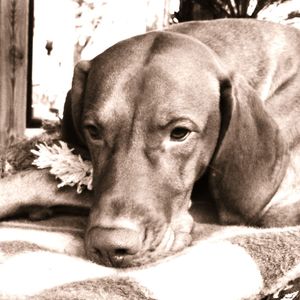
36,188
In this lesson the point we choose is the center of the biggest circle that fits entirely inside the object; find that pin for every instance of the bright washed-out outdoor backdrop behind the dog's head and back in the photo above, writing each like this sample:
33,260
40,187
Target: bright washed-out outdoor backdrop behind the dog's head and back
67,31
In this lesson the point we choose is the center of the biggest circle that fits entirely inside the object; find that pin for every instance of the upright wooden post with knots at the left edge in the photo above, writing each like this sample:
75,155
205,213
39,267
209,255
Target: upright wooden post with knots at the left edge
14,16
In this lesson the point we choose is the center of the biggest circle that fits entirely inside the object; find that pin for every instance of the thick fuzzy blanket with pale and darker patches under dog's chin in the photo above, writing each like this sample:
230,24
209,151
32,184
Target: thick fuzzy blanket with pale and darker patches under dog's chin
46,259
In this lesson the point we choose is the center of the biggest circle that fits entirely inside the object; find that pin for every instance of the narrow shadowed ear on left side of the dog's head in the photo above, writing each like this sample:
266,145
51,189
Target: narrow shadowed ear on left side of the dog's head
71,130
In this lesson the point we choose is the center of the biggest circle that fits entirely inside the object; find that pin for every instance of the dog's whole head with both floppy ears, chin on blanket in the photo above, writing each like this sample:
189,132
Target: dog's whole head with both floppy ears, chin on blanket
156,112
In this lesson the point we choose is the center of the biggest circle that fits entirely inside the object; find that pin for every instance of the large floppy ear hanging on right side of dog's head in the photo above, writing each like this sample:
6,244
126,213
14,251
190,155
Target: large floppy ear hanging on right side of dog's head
250,158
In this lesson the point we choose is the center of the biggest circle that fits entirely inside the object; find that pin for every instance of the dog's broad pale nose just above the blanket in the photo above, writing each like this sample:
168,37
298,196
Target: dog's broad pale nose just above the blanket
115,244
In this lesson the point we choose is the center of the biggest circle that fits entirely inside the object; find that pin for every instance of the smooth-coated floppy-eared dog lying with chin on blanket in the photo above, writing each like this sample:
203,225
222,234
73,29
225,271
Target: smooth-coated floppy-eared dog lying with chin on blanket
204,110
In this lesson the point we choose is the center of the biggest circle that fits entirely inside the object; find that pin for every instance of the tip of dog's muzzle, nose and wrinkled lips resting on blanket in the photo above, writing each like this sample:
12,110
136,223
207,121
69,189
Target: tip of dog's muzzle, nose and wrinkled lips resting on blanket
134,245
